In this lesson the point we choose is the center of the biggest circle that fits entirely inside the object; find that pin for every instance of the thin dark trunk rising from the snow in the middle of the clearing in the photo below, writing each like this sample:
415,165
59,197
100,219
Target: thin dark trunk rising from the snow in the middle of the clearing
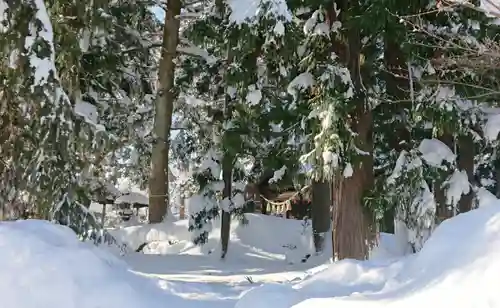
227,176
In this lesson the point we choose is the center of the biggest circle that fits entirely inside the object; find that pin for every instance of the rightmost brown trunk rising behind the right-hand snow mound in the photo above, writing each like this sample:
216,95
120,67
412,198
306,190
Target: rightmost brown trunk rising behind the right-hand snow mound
466,153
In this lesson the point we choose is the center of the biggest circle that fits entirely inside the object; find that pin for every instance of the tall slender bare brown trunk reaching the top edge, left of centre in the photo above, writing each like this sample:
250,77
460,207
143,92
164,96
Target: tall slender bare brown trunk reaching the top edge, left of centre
164,105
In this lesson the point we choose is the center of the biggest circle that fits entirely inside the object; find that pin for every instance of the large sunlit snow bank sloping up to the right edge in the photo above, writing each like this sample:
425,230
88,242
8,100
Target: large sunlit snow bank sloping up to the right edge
457,267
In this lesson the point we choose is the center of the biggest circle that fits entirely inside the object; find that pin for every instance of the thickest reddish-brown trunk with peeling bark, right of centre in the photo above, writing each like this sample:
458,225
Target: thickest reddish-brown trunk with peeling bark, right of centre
352,230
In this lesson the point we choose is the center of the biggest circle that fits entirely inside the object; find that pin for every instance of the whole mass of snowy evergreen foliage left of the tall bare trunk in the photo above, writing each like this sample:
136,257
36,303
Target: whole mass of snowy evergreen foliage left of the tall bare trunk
71,113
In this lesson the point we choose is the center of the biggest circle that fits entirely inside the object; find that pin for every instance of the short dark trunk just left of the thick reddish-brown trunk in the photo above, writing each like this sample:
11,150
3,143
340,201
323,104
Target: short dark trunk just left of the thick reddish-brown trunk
320,212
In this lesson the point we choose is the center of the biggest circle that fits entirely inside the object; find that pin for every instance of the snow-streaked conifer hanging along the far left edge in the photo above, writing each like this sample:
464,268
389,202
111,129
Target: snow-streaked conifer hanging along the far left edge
33,97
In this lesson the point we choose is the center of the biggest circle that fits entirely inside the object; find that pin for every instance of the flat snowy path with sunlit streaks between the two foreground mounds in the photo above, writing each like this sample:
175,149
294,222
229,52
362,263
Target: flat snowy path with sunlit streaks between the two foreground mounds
207,283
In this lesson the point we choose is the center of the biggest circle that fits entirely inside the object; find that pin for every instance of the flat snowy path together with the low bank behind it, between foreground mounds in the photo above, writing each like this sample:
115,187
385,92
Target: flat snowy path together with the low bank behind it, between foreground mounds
256,257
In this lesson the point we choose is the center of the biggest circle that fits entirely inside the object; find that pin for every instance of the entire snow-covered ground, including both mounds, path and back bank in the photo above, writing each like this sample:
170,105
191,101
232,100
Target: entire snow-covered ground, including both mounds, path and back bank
43,265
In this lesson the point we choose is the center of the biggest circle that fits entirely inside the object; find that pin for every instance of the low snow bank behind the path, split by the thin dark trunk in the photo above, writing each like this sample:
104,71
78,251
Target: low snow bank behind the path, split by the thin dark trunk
264,236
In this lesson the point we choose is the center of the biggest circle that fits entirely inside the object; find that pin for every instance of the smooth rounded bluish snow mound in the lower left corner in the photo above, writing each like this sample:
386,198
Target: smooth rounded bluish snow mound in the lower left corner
44,265
